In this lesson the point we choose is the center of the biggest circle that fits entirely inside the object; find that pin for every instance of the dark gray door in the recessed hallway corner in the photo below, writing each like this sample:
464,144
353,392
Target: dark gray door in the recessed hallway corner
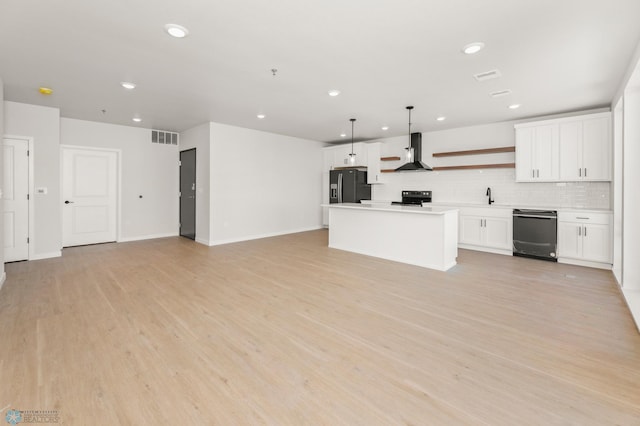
188,193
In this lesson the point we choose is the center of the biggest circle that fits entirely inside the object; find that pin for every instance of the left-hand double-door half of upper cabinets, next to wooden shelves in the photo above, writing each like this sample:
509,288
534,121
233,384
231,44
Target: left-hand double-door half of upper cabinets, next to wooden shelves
537,156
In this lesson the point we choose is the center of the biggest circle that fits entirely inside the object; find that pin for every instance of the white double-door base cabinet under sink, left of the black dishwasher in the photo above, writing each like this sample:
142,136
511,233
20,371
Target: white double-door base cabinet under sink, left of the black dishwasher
486,229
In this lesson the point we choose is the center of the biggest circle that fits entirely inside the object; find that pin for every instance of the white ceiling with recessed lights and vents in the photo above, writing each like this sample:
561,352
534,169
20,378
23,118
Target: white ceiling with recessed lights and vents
555,56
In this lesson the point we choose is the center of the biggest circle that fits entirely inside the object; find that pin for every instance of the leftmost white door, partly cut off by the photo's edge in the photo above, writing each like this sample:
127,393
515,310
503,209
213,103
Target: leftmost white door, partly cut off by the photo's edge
16,200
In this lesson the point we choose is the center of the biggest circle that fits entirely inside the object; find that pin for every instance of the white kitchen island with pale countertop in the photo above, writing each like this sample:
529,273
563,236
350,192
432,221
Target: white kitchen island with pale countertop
422,236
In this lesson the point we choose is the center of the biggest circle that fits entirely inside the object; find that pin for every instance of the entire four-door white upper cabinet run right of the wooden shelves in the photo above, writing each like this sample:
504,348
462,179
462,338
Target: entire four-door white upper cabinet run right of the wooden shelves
565,149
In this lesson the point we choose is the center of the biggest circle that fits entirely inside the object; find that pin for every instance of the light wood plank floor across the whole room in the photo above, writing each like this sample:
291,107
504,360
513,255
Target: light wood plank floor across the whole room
287,331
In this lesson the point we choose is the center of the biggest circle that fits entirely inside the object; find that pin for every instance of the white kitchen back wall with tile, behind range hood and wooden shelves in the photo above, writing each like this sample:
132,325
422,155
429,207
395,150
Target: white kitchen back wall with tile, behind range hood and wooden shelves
471,185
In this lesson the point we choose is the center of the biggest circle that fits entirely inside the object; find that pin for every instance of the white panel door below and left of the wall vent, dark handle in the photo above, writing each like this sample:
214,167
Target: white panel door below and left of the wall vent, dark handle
89,196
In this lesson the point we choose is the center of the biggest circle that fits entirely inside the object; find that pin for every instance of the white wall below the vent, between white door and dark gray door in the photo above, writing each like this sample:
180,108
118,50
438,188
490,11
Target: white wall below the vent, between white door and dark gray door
147,169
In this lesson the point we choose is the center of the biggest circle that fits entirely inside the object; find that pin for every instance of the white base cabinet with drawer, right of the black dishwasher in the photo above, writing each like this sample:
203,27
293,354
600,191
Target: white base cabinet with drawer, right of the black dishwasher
584,238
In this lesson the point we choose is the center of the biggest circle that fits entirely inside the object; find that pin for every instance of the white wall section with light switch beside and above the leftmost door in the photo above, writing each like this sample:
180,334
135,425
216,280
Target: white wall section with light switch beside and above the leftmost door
43,125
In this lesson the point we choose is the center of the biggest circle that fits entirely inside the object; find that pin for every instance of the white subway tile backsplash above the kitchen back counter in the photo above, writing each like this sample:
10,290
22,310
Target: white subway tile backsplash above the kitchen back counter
470,186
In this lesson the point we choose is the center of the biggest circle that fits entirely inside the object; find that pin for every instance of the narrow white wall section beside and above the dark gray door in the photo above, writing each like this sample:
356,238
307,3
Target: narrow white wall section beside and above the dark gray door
199,138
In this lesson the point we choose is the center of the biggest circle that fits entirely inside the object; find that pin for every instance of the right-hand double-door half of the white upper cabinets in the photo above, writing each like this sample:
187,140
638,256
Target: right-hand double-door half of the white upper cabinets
585,148
